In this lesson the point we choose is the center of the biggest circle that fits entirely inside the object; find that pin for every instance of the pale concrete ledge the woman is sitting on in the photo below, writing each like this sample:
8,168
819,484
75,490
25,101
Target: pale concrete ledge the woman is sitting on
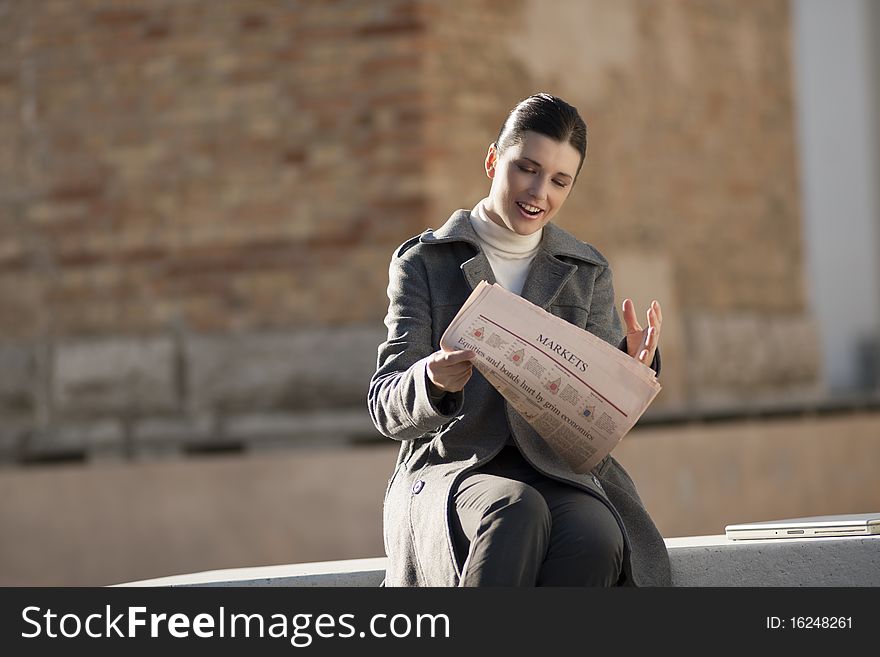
695,560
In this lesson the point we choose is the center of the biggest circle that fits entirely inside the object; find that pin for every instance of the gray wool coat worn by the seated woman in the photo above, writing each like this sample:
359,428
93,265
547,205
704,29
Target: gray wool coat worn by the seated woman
430,277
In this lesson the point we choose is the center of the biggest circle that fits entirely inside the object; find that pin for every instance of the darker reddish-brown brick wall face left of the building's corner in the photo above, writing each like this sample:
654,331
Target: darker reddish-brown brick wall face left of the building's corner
227,165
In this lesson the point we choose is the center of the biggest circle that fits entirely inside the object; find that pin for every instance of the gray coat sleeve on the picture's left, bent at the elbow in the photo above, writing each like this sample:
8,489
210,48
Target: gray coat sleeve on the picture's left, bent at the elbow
399,399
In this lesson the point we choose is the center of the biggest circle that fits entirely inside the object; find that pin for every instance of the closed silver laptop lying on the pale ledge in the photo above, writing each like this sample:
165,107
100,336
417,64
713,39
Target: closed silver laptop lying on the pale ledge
855,524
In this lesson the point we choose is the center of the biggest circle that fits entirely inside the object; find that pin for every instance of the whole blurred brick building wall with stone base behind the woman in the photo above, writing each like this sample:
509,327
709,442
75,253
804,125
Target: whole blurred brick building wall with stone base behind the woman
175,172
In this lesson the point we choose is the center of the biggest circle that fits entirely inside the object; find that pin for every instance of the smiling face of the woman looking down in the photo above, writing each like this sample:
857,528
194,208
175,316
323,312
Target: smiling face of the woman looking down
530,181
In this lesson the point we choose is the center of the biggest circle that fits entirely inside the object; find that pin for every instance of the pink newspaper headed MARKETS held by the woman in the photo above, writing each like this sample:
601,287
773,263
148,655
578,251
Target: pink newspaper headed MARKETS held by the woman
581,394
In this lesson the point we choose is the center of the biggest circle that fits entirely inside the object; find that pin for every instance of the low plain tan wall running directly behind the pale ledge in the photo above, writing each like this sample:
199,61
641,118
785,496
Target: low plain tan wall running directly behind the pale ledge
108,523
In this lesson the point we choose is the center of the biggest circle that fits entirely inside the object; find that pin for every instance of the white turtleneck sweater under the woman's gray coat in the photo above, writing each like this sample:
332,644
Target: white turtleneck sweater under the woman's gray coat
509,253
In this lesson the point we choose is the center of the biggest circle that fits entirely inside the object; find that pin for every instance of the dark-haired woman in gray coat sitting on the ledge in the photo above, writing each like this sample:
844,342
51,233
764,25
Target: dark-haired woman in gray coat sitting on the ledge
477,498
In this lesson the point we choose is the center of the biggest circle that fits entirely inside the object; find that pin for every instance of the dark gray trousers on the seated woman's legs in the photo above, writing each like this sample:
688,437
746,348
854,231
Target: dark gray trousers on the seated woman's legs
513,526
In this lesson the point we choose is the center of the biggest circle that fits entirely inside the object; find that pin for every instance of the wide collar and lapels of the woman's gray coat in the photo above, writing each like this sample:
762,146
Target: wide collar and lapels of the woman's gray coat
548,273
